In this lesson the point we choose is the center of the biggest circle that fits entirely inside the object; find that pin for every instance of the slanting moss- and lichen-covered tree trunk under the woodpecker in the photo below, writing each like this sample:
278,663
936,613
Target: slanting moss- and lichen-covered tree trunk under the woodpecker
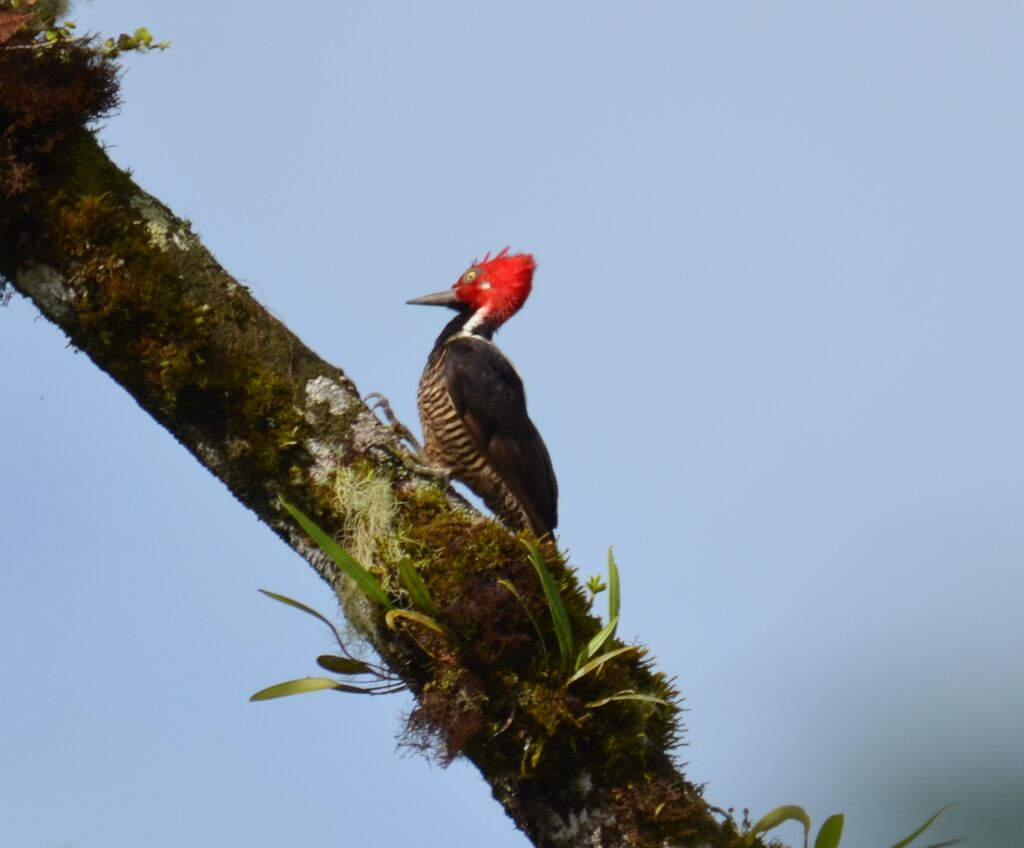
581,764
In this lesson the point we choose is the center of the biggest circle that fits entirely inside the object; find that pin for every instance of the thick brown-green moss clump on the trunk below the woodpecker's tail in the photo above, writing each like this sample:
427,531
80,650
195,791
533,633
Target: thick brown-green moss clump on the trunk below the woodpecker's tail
532,722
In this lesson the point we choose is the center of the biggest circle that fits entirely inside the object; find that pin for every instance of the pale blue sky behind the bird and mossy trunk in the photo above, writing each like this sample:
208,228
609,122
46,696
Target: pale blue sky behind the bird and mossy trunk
776,349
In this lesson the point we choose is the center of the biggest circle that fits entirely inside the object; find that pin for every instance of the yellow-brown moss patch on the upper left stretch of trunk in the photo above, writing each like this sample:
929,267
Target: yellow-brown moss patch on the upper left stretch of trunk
176,352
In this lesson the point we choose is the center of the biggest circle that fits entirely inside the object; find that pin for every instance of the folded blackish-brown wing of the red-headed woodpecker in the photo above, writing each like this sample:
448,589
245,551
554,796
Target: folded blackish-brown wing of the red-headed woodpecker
488,395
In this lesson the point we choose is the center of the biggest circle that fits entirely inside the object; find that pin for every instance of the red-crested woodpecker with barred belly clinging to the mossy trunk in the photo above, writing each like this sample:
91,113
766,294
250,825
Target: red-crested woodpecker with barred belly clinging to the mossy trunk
473,404
